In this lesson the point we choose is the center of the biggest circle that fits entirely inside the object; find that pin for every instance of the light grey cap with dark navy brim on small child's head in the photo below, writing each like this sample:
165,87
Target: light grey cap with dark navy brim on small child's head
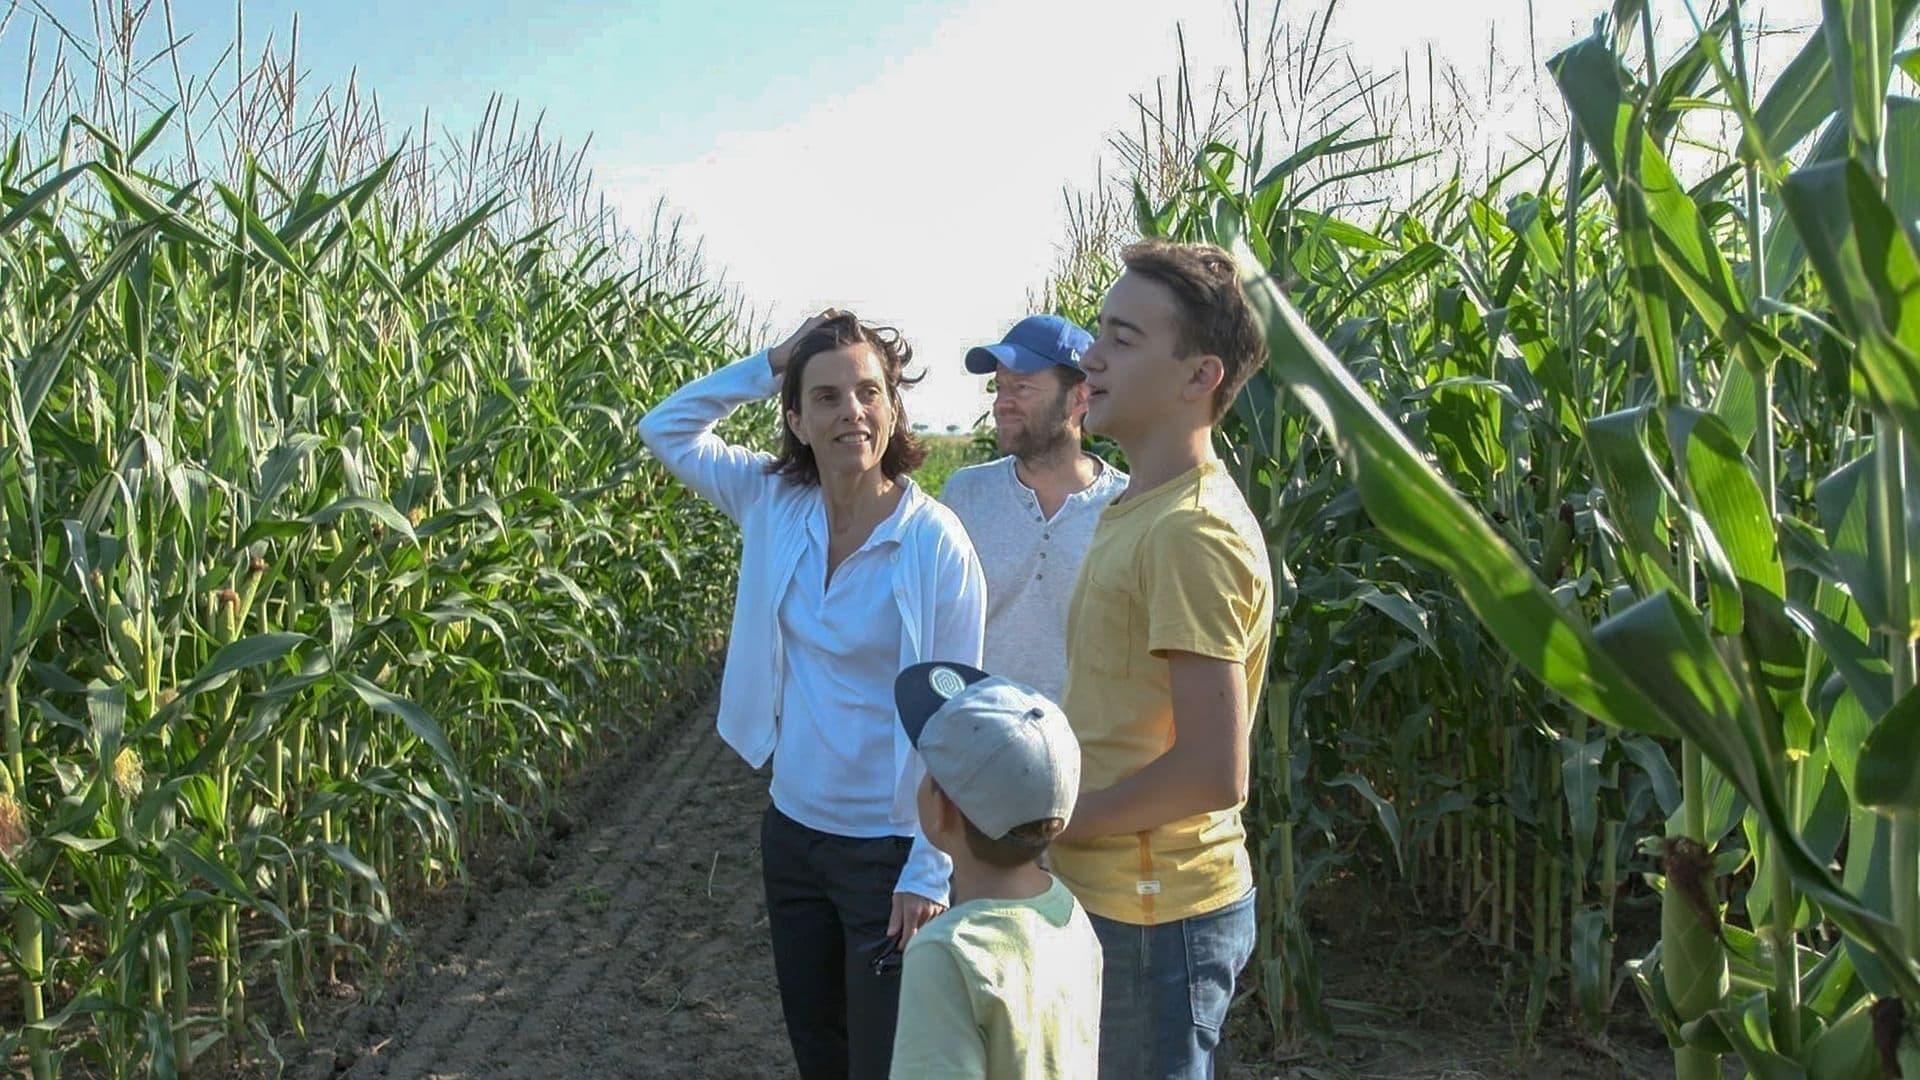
1001,750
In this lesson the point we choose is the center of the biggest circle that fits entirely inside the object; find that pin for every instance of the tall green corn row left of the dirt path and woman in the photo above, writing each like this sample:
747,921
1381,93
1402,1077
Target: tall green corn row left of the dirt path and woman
327,552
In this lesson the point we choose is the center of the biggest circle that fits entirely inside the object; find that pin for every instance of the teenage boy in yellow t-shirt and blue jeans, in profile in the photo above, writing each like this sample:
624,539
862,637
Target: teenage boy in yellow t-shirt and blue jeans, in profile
1166,654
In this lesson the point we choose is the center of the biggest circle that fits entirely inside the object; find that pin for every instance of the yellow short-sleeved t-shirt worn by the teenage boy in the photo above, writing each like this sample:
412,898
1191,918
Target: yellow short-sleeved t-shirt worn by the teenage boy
1182,568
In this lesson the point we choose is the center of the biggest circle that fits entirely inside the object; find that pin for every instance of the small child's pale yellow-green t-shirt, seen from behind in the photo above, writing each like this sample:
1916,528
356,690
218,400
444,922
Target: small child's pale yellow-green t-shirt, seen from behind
1001,989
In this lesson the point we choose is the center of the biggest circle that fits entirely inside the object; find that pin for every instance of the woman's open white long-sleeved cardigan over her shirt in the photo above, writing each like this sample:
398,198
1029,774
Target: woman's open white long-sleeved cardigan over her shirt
936,583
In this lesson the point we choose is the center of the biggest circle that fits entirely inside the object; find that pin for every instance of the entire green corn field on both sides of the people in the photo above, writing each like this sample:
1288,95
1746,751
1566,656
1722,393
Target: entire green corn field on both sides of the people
329,549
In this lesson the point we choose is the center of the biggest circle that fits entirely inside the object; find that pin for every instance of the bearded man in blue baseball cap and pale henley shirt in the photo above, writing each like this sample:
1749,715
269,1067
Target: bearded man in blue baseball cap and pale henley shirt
1032,512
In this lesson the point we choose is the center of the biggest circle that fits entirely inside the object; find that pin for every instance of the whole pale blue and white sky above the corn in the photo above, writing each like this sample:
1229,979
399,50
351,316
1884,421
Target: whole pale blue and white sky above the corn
936,134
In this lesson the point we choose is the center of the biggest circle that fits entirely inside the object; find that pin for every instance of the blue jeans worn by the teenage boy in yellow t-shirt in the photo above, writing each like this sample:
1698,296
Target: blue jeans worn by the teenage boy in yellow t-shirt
1166,989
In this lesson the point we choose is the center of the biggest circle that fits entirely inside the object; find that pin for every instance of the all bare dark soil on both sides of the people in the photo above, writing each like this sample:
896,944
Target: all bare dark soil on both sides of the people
631,941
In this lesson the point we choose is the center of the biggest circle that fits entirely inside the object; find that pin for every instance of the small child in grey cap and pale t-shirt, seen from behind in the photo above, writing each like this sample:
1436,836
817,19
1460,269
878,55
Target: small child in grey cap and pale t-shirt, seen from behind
1007,983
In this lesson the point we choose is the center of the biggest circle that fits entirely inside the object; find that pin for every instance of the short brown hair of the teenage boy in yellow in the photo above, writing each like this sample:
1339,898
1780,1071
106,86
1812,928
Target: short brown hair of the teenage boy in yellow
1214,316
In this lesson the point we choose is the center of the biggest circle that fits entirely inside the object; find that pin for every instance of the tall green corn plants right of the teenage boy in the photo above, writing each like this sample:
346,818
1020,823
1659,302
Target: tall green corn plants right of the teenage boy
1587,489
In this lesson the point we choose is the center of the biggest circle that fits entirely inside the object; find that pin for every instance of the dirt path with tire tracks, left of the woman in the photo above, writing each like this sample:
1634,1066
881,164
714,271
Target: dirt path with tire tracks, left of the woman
640,952
